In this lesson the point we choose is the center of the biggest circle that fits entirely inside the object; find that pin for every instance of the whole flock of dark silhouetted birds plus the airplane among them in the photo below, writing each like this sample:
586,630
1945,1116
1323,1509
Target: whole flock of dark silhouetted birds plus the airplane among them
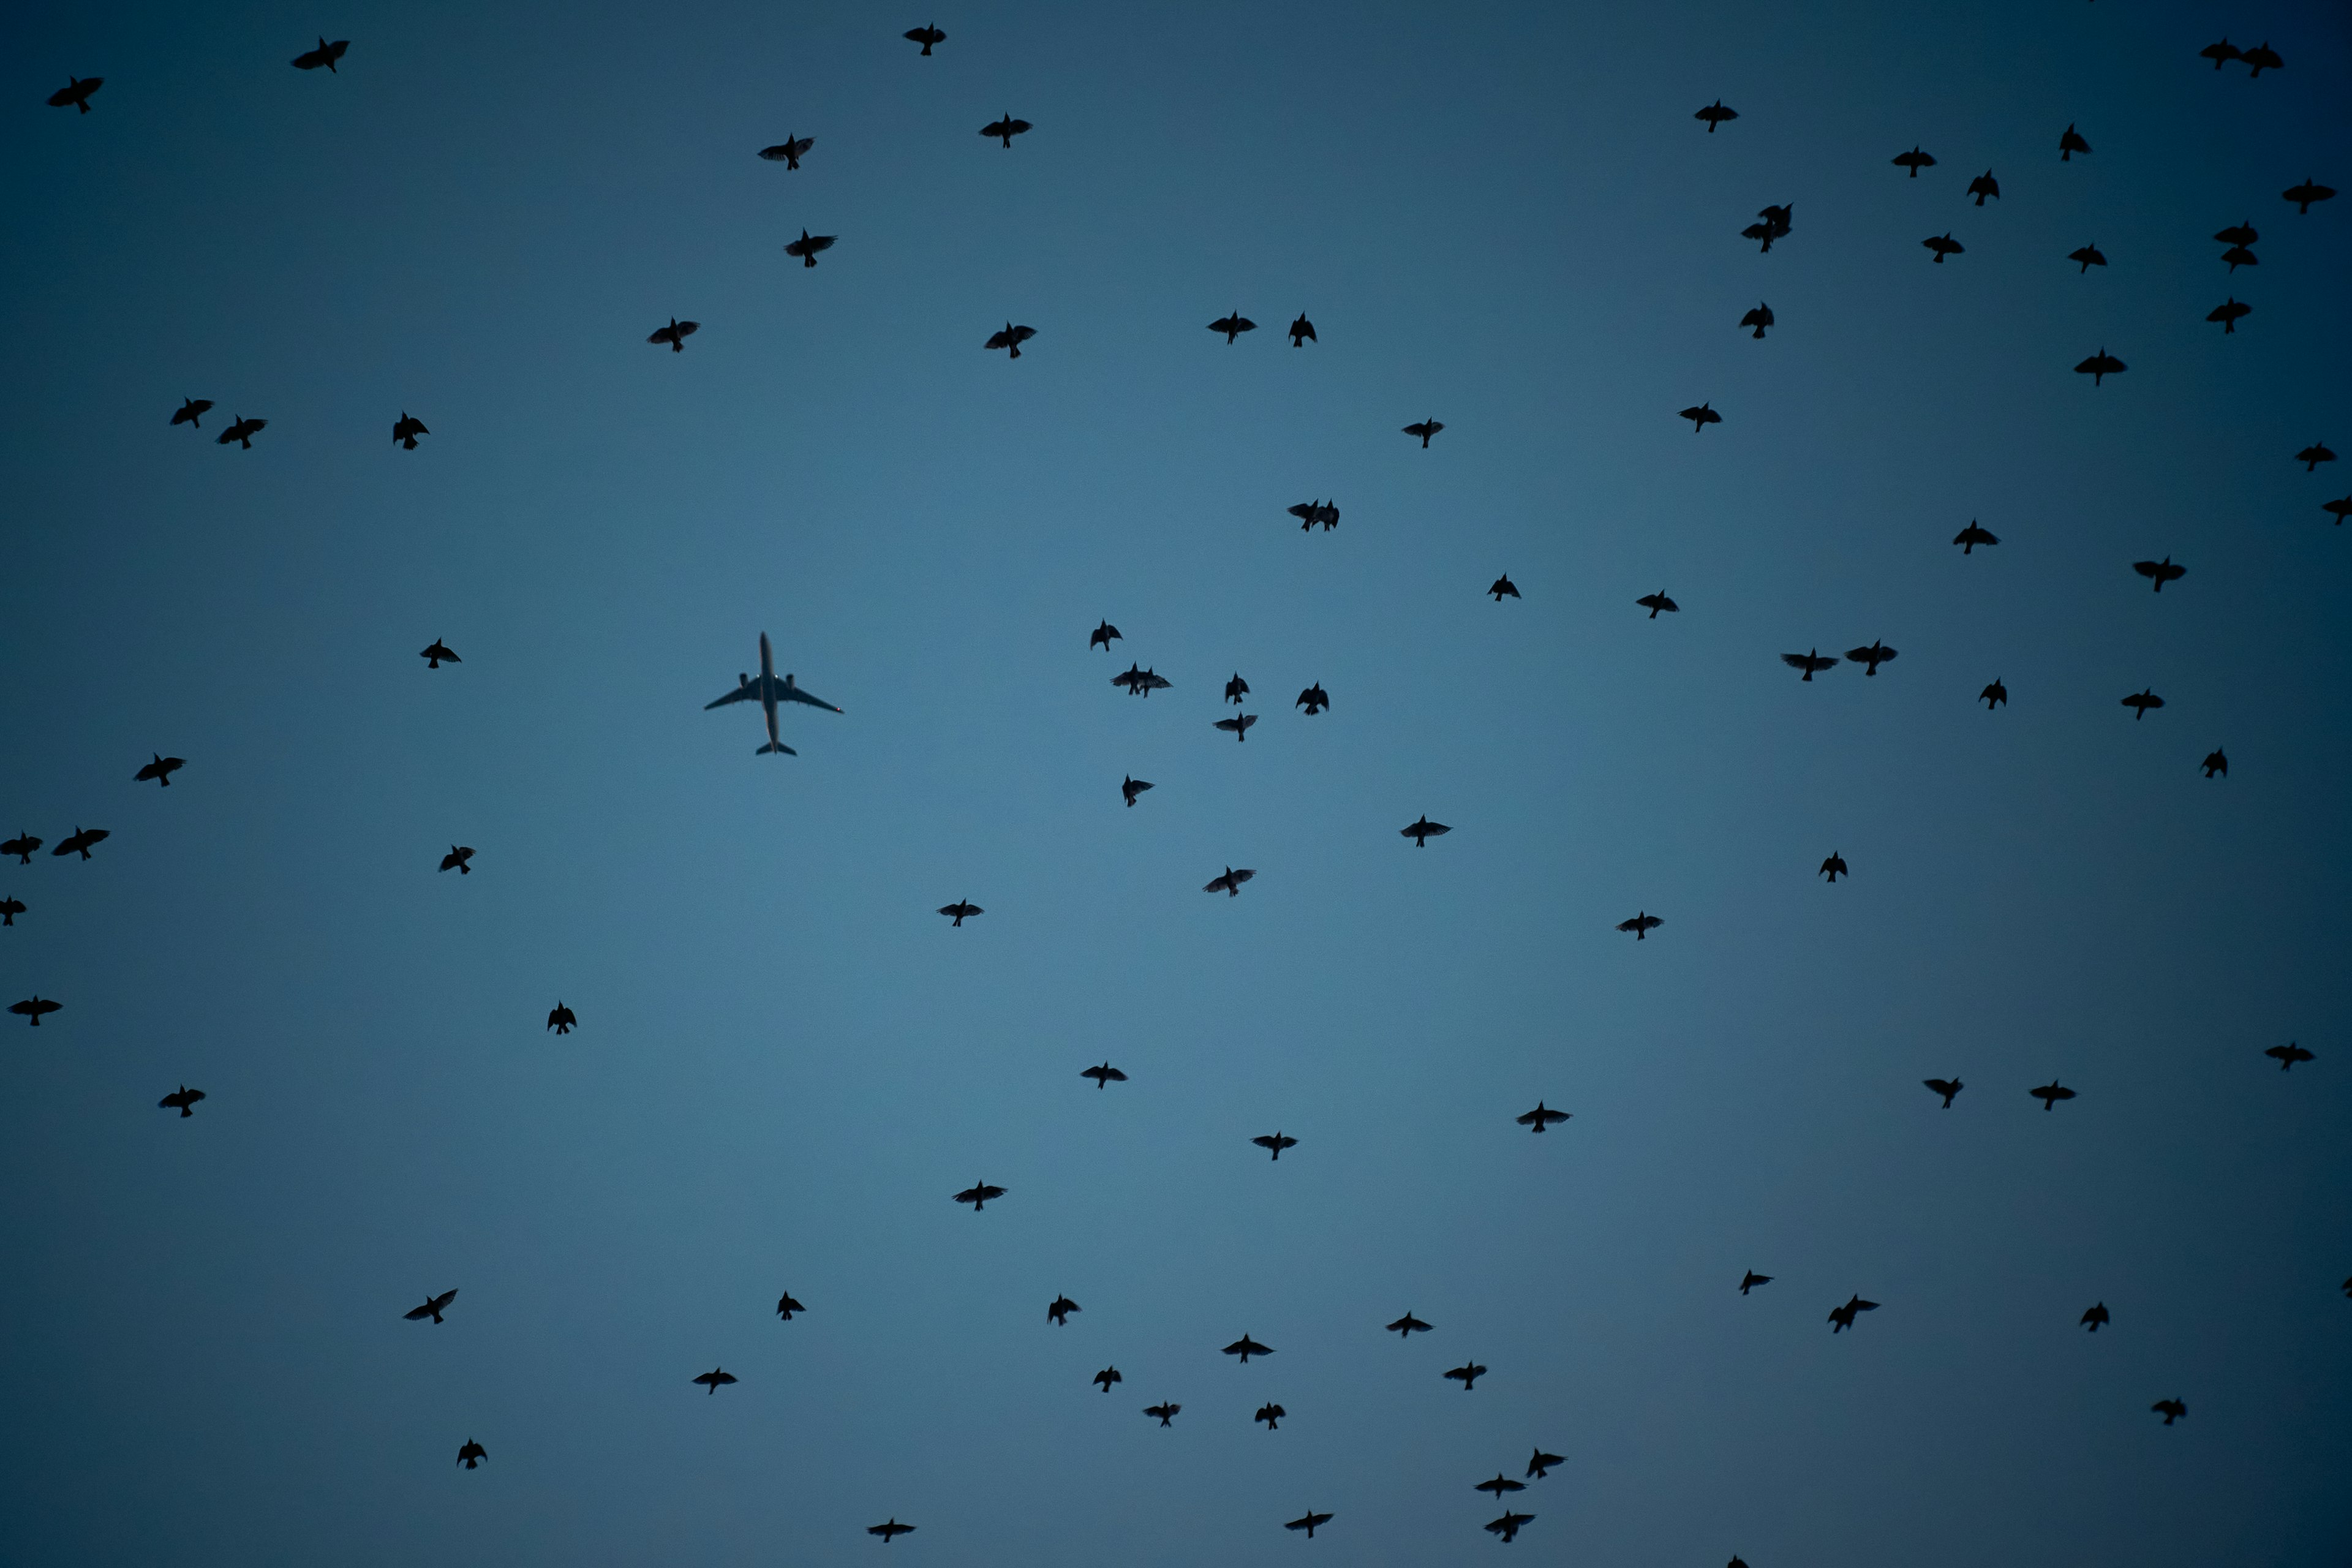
1775,225
